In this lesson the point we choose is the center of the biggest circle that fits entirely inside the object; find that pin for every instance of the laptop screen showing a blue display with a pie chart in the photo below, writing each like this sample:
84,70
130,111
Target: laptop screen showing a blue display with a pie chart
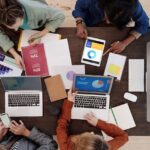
92,84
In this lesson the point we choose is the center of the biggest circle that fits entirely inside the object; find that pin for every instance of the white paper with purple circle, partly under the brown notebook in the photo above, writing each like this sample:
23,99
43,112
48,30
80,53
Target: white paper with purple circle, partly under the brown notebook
67,73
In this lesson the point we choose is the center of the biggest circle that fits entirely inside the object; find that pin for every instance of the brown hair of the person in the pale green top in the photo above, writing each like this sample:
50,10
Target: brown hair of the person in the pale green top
10,10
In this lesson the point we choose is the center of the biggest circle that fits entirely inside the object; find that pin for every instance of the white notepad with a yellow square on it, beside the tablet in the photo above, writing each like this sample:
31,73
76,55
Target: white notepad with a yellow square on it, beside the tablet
115,65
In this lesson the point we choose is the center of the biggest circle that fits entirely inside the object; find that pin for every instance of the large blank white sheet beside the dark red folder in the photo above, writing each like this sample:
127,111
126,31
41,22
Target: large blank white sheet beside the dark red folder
57,54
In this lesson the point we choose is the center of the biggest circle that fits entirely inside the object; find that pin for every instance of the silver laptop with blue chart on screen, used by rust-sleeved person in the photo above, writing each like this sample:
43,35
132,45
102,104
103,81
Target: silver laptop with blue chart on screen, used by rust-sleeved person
93,96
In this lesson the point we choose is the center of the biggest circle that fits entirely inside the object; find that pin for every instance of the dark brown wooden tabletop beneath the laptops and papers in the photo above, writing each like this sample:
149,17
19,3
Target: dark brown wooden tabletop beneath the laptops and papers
136,50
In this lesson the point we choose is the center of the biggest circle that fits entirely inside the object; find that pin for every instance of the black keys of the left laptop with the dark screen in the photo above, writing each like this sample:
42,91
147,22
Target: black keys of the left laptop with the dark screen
23,100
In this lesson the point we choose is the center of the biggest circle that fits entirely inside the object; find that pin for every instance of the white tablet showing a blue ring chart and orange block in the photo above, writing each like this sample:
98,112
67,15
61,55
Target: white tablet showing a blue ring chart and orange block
93,51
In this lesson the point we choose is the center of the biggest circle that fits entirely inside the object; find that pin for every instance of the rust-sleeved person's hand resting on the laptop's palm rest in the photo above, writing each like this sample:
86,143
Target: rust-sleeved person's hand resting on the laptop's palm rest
91,119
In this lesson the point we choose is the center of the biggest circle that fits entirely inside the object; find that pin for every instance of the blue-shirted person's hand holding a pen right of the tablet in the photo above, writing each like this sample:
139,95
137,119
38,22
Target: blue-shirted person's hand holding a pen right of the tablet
118,47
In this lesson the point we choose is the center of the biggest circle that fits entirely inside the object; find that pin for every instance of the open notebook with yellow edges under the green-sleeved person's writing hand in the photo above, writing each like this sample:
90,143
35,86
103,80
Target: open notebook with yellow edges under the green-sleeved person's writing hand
25,34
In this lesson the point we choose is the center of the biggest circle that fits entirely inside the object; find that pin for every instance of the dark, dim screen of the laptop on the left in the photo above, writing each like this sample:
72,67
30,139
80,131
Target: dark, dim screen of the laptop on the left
21,83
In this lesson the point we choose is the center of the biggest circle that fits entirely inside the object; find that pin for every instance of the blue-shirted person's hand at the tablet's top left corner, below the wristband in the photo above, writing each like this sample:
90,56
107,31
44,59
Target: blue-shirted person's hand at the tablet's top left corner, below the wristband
81,31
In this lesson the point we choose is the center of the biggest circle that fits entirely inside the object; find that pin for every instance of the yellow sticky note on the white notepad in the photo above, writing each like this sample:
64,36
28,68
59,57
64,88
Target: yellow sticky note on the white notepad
114,69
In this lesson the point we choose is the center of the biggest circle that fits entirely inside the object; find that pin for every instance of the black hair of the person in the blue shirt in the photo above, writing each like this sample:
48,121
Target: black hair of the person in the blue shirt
119,12
